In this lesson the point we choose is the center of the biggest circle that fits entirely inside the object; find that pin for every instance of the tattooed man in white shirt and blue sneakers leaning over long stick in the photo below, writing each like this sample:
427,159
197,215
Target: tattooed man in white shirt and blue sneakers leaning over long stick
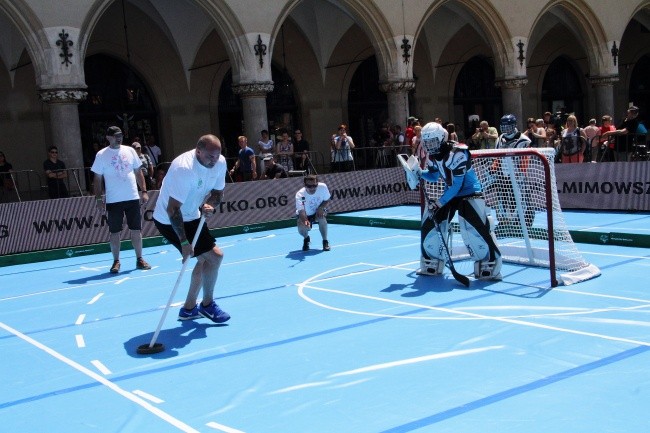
193,186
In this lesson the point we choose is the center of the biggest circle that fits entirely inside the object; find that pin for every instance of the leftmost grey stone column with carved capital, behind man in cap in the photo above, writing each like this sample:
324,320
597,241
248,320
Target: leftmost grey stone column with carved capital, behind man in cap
64,125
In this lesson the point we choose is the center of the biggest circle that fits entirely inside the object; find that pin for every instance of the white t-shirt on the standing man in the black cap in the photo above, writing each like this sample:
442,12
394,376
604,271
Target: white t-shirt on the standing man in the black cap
118,167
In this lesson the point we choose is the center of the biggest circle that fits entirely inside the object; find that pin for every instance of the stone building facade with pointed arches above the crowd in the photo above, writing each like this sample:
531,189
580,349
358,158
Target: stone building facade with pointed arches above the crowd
172,70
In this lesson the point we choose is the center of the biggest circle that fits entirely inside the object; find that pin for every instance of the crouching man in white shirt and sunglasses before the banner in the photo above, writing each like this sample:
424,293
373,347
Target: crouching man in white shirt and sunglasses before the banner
311,206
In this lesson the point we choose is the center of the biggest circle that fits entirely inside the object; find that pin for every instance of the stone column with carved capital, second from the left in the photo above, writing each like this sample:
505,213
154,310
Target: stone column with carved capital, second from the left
253,97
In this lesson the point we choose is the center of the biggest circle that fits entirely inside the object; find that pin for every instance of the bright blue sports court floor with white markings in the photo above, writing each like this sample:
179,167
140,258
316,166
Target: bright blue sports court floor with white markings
350,340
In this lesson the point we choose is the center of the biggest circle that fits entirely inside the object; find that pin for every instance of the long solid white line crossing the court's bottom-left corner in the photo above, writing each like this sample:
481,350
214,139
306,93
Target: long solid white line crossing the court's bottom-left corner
102,380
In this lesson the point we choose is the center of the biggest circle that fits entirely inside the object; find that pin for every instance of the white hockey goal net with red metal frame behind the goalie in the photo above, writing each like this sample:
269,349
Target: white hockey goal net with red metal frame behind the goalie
520,190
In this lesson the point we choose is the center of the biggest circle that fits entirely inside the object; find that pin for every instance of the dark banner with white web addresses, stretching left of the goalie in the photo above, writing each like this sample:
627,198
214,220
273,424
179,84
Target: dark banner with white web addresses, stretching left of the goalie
50,224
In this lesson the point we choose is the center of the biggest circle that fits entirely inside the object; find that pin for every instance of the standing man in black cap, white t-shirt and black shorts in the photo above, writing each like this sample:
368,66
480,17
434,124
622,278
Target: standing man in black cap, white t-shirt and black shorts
118,167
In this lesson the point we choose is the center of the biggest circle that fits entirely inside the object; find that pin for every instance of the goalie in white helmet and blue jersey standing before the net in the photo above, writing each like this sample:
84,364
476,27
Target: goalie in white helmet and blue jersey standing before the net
452,162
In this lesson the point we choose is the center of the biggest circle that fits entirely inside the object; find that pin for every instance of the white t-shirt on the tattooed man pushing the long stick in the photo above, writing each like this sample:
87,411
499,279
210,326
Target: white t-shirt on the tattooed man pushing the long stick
190,183
